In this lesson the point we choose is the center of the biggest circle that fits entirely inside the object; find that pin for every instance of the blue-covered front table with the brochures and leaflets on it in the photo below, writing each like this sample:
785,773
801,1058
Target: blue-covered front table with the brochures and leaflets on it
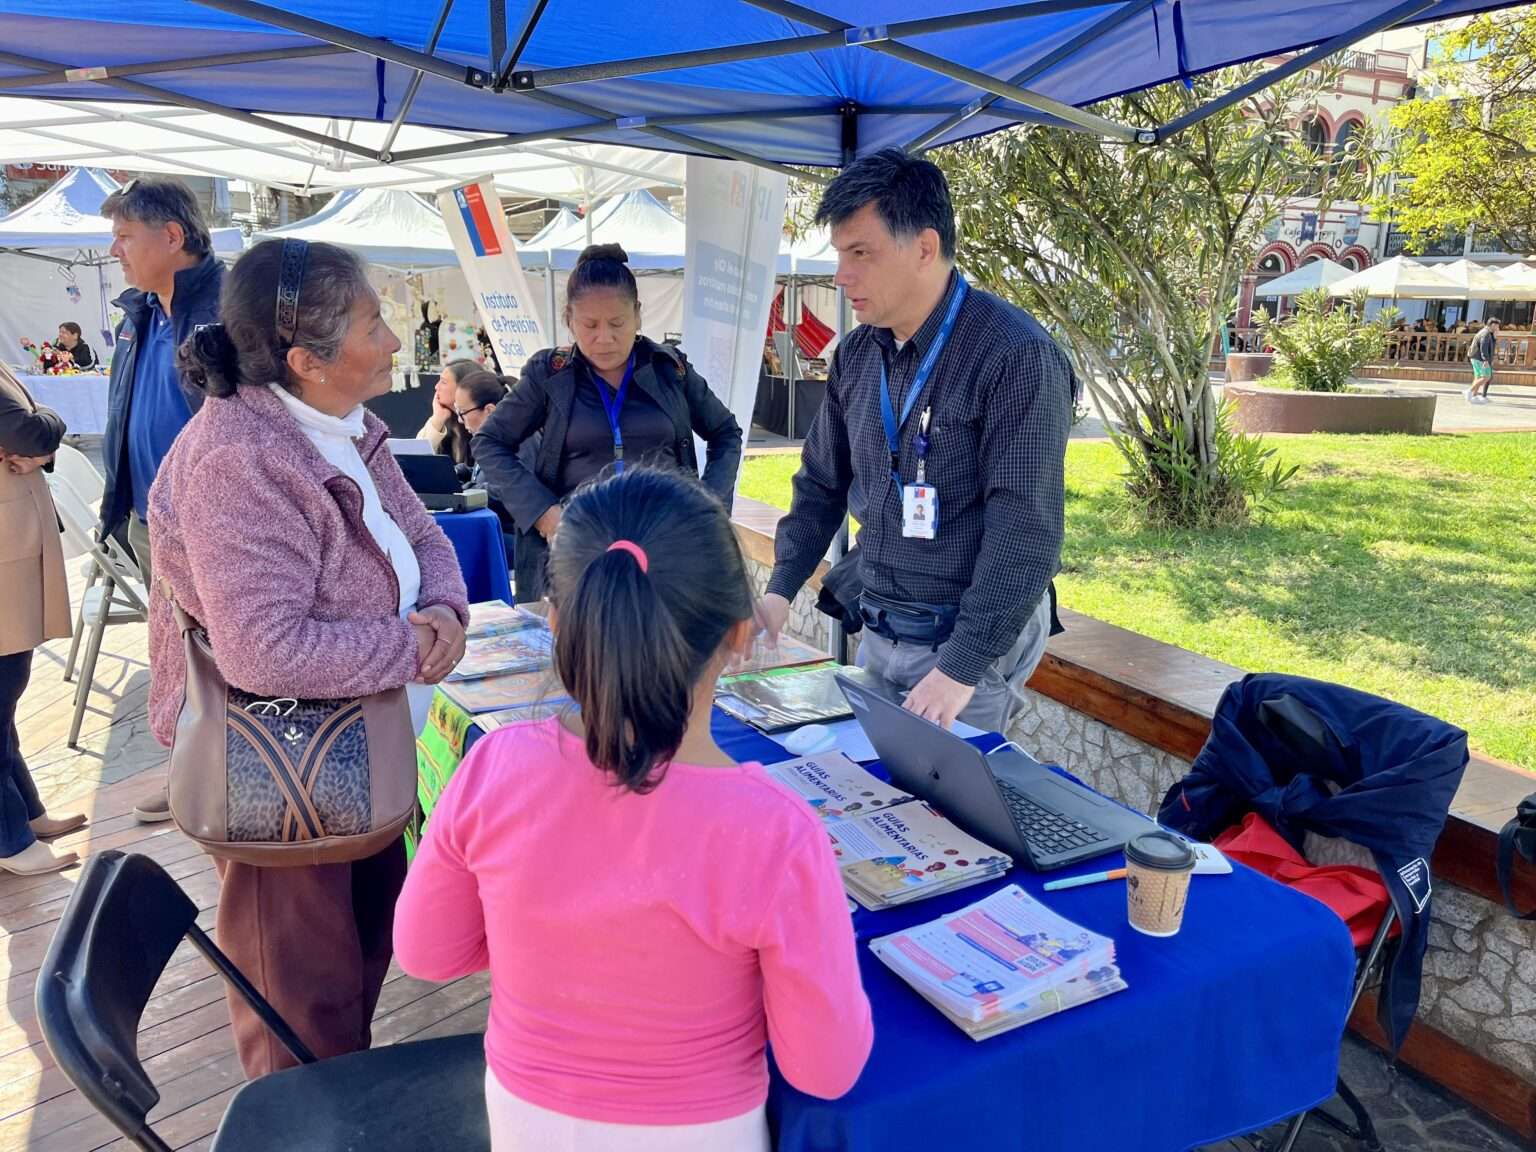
1144,1042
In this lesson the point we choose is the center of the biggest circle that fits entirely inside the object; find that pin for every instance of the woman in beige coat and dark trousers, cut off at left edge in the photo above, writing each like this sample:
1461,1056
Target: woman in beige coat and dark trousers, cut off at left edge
38,611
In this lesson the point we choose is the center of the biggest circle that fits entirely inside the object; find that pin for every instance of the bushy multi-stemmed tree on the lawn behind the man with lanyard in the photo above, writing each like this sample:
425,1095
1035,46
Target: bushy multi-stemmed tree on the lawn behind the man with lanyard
1133,256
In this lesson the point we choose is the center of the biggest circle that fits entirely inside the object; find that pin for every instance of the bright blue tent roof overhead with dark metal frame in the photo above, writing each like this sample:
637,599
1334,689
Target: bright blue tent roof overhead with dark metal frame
763,79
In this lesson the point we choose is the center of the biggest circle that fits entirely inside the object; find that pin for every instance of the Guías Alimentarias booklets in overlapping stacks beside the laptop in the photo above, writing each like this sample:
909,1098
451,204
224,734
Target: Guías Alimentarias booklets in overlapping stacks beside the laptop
892,847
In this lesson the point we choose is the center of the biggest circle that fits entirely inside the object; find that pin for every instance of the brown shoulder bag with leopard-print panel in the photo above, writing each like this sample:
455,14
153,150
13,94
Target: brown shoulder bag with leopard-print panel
282,781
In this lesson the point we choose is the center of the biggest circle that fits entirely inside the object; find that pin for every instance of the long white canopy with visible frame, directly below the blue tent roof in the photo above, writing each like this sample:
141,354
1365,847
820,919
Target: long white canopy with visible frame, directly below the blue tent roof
154,139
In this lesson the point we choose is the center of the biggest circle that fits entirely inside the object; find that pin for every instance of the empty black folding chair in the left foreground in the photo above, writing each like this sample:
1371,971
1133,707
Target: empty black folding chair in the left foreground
121,930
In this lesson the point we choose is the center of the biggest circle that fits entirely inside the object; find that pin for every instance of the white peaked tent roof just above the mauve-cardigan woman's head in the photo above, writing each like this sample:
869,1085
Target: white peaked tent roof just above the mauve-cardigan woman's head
385,225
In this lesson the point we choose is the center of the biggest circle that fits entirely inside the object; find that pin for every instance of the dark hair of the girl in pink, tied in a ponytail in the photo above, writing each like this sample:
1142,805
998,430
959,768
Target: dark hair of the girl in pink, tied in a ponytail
635,640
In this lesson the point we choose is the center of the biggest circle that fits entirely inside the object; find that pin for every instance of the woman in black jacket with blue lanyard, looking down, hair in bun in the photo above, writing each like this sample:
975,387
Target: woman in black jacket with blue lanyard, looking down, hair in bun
612,400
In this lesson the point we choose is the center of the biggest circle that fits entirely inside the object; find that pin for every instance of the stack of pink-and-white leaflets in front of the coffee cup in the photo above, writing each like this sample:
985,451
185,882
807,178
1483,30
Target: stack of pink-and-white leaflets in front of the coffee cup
1004,962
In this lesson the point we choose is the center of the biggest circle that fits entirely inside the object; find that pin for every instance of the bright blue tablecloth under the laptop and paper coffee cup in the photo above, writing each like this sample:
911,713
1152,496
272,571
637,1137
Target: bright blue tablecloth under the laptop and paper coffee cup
1226,1028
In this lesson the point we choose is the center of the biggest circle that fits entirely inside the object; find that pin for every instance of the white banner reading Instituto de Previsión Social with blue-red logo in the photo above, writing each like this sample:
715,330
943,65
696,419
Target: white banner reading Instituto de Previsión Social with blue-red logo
489,259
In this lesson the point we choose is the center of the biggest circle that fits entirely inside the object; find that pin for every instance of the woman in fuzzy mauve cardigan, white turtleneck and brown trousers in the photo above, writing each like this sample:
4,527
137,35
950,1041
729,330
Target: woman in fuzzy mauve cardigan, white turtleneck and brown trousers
283,525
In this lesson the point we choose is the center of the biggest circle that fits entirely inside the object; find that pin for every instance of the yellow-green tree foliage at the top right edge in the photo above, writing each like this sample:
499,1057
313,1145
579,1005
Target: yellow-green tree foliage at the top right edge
1468,156
